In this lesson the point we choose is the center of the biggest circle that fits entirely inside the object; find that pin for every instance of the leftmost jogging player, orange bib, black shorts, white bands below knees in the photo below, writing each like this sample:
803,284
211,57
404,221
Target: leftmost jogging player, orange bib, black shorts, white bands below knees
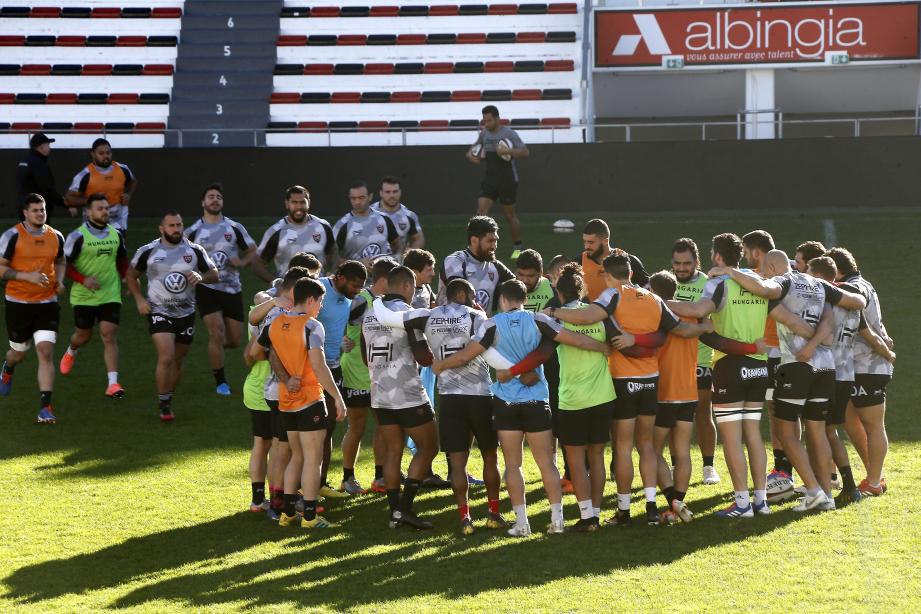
32,265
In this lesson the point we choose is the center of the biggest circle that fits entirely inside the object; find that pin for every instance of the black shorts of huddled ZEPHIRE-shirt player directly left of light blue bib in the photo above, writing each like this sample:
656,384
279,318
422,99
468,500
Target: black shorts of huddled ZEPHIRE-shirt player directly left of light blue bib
462,417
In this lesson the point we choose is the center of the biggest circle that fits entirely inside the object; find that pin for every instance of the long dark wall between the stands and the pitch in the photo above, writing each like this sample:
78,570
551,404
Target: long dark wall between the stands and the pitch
562,178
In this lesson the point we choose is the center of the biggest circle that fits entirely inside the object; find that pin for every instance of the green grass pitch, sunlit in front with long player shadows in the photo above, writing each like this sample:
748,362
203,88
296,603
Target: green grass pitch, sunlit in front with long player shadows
112,509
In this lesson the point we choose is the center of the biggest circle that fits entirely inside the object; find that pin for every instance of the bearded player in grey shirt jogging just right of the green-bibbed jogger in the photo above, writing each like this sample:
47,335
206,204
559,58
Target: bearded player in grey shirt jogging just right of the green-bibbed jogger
173,266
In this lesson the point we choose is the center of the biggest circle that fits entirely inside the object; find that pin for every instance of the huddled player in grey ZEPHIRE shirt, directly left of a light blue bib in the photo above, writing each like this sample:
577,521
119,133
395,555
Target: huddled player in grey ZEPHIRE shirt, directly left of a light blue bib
464,396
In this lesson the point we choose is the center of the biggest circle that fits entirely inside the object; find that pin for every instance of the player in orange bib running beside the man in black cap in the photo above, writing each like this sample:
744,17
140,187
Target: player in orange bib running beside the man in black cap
104,175
